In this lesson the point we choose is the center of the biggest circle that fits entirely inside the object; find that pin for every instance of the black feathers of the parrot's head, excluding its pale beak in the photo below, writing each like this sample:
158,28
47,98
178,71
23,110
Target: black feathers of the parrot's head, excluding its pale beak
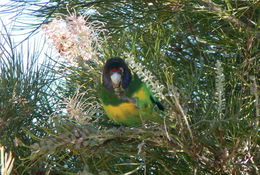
116,64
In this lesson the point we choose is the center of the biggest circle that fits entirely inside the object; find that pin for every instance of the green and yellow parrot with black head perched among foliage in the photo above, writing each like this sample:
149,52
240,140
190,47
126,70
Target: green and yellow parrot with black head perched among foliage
124,97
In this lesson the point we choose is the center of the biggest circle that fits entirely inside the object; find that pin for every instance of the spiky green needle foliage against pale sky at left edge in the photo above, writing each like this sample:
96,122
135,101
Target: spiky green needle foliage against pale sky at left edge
25,94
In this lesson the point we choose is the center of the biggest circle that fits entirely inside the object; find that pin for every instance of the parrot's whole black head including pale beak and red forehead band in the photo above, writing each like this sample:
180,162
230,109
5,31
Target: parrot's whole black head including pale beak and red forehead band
116,74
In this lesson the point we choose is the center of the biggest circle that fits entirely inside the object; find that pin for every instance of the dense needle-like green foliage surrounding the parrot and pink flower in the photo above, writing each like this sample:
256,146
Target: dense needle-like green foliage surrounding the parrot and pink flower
205,54
